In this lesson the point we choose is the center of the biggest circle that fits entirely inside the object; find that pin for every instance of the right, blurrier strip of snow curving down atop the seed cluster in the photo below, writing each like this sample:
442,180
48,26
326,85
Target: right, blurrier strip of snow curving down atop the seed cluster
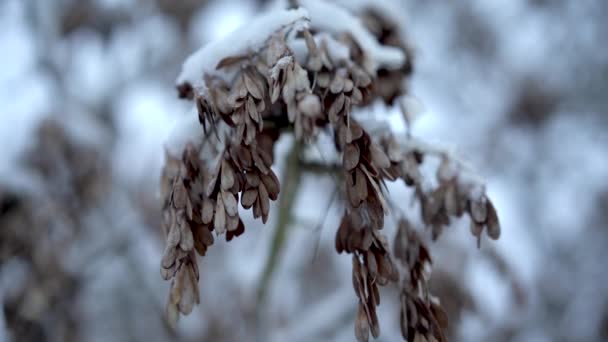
335,19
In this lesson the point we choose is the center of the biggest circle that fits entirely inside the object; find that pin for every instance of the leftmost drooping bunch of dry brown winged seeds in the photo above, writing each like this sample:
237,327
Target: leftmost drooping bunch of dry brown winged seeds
200,200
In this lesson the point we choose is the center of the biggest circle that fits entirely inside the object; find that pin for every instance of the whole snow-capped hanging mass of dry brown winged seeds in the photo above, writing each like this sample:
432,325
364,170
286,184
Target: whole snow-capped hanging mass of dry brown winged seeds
305,77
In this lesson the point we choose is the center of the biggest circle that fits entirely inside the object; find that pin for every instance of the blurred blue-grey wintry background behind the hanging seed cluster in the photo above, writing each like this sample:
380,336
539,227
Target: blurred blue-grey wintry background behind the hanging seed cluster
517,87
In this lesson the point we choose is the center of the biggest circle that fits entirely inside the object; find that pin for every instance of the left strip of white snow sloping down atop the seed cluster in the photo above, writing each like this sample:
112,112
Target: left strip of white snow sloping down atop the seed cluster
247,39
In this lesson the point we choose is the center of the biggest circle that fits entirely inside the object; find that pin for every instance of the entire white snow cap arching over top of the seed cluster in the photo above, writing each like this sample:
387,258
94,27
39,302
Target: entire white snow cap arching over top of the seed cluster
252,36
